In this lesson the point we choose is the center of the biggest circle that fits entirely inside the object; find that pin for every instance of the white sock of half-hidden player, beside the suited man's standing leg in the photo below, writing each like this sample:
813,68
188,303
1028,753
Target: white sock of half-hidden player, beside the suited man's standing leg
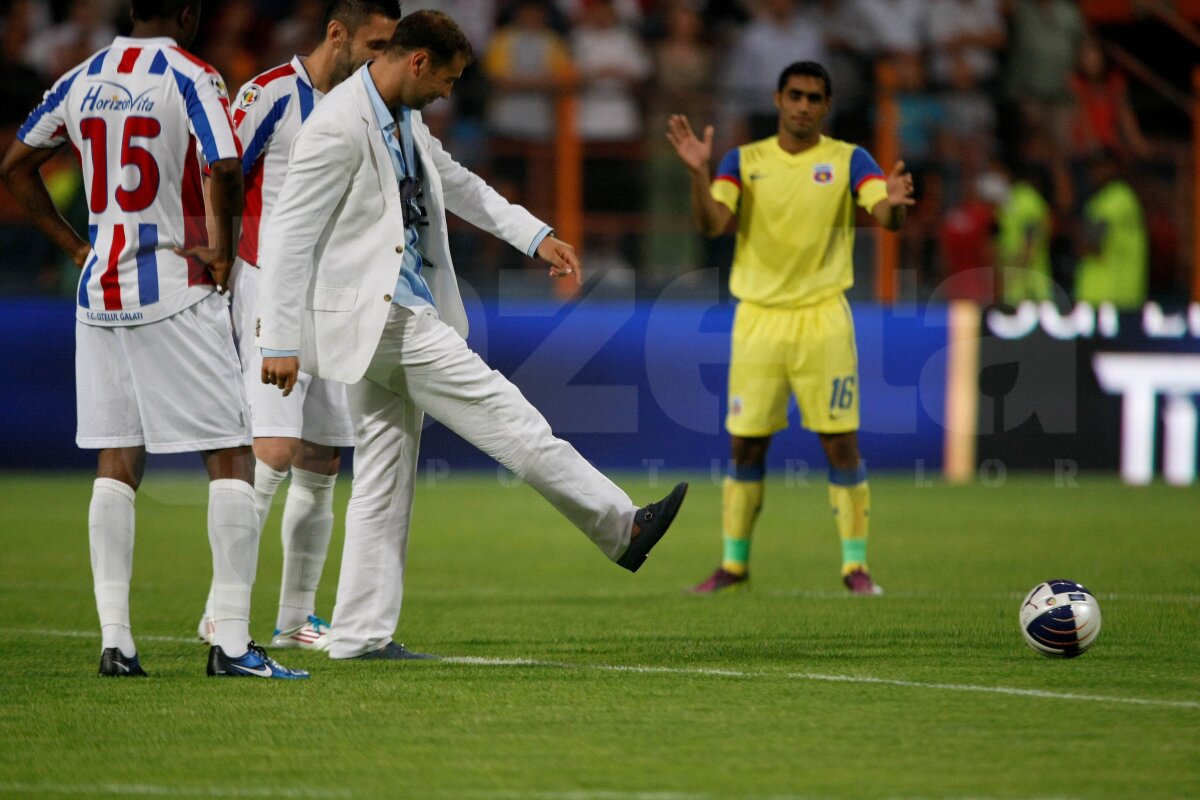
308,527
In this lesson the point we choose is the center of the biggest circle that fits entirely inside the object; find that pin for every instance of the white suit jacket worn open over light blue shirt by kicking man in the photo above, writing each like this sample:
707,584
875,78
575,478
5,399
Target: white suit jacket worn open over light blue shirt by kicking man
333,246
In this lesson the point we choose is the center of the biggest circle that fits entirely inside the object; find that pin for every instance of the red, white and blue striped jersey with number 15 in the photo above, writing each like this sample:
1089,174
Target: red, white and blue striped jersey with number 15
140,115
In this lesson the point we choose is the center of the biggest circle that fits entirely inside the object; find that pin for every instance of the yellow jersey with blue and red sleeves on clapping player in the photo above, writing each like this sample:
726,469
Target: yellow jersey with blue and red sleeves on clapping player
796,218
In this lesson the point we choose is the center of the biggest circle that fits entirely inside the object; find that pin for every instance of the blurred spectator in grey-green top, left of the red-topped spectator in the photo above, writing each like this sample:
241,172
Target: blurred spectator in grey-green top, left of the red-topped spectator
1046,39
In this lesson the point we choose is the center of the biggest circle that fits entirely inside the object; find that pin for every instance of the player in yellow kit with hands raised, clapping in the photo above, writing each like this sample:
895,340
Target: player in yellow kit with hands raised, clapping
794,196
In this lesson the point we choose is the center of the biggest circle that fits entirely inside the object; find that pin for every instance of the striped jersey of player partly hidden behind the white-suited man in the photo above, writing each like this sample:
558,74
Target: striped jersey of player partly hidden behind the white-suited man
268,116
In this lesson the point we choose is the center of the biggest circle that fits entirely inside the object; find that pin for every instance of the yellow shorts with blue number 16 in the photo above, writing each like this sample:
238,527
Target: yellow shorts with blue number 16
783,352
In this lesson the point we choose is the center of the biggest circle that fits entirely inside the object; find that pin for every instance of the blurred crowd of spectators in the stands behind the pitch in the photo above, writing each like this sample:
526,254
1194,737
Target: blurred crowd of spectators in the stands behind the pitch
1036,179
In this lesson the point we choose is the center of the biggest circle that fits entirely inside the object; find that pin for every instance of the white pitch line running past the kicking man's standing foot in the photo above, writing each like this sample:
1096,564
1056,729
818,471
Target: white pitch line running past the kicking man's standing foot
476,661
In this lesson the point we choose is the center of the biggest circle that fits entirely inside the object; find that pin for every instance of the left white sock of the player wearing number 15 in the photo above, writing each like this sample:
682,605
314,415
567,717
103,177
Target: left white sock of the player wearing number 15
111,537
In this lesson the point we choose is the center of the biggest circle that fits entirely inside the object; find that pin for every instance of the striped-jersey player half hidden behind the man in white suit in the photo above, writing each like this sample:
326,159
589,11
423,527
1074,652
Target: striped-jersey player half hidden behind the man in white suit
304,431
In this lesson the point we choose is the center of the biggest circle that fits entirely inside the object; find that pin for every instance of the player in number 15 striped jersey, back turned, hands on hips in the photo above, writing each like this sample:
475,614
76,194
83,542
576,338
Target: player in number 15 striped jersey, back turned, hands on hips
155,364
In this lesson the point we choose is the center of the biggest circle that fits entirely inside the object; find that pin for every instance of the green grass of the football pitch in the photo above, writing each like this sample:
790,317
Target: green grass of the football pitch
495,574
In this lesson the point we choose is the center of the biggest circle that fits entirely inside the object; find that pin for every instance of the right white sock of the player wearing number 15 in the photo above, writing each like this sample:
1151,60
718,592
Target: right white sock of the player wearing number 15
233,536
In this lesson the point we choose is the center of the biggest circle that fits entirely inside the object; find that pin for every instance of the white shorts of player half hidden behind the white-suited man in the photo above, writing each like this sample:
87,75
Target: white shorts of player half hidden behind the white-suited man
316,411
